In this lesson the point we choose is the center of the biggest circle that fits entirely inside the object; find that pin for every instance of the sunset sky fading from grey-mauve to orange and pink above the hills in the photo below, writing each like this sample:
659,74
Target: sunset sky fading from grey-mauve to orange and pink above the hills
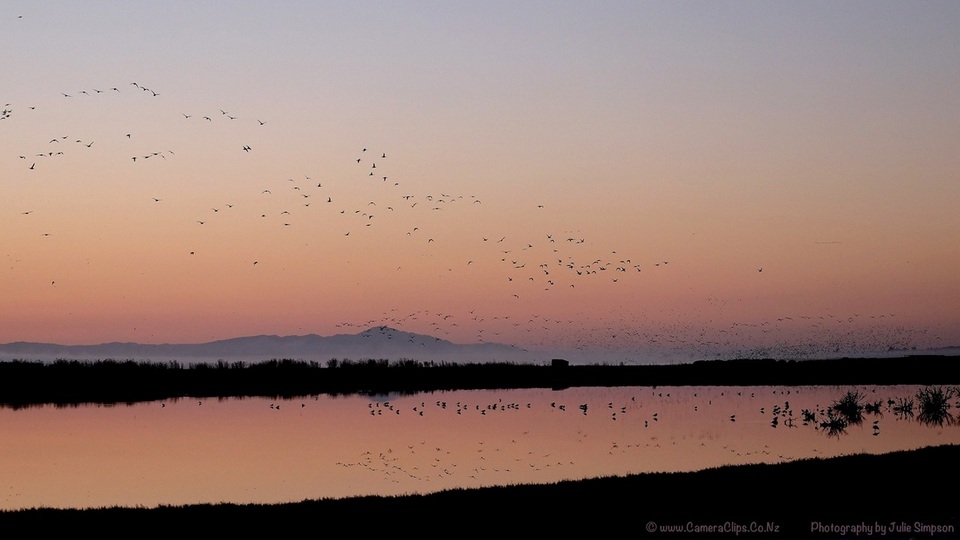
635,178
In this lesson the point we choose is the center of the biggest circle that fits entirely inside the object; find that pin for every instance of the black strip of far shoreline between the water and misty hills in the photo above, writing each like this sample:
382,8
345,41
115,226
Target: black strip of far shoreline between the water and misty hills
71,382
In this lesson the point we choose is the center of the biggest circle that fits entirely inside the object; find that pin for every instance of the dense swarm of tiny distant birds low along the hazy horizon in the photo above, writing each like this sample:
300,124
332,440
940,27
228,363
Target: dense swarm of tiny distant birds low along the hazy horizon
667,336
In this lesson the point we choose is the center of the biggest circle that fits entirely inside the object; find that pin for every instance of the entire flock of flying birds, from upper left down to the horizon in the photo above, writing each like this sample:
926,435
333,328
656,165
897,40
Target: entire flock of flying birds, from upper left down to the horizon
375,202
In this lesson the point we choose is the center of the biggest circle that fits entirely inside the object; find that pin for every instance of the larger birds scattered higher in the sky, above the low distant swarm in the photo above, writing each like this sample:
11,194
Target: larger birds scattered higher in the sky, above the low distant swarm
529,262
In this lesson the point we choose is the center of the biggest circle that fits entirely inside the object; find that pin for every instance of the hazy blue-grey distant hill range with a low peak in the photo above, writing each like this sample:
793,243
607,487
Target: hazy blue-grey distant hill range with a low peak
378,342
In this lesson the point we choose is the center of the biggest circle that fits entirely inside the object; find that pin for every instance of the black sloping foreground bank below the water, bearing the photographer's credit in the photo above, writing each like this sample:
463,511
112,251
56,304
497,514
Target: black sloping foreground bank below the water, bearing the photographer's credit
912,494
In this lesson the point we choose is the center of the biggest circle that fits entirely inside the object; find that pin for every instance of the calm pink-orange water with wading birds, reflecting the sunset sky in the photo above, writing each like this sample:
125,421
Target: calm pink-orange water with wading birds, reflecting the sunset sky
263,450
